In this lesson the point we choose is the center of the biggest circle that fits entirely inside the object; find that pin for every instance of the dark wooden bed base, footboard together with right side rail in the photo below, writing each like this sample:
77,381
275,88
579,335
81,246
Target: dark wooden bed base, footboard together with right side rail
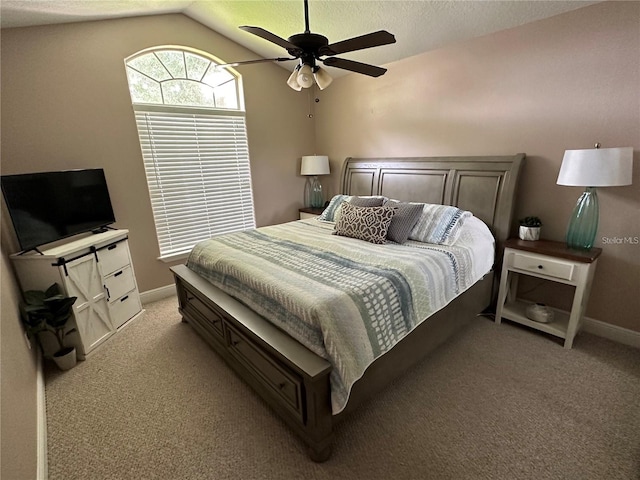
293,380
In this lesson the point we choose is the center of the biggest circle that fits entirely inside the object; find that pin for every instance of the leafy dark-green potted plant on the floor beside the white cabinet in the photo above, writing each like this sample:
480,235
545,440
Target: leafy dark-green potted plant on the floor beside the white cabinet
49,311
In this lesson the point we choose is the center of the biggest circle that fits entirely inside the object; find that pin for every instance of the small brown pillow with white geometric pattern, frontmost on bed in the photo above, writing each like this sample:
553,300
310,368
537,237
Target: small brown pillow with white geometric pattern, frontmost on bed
364,223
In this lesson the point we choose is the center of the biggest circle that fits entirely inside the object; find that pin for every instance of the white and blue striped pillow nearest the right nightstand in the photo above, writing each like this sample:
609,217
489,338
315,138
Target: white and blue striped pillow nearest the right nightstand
439,224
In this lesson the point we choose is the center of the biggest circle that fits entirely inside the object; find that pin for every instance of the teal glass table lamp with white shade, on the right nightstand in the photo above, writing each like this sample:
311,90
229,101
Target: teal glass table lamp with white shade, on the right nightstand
591,168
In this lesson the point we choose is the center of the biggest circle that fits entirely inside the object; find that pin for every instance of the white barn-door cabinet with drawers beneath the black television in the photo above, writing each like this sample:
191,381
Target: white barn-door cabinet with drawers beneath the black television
95,268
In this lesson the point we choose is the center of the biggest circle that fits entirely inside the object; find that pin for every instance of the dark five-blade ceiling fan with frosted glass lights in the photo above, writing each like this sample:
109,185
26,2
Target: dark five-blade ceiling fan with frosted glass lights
309,47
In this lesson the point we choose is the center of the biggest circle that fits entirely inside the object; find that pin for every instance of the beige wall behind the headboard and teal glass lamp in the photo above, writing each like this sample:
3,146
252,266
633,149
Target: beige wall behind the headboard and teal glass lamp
560,83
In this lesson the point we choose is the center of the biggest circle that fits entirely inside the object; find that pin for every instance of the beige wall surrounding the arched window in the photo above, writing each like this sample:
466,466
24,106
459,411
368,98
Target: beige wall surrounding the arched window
66,104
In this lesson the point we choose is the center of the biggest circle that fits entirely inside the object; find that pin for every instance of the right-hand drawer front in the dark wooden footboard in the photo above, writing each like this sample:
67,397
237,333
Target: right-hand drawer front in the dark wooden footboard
284,384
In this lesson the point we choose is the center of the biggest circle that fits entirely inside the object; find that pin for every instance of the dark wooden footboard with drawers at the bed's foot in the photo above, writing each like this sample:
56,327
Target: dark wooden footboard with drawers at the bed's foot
293,380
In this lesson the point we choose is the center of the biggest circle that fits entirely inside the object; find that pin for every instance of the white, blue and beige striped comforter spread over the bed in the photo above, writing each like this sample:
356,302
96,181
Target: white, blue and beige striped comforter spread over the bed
347,300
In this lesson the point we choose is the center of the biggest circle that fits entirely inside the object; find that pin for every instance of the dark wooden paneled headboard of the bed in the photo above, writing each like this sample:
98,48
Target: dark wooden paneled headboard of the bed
483,185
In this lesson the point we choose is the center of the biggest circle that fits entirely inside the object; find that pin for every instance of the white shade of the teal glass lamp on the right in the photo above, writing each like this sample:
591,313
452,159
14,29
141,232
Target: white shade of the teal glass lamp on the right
597,167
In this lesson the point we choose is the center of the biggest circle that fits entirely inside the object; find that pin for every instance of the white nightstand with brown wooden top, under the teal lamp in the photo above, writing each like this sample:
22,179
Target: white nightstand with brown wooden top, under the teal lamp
551,261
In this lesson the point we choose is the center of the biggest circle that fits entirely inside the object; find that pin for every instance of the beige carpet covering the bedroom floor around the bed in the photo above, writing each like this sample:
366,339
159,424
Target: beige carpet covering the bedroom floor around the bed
495,402
